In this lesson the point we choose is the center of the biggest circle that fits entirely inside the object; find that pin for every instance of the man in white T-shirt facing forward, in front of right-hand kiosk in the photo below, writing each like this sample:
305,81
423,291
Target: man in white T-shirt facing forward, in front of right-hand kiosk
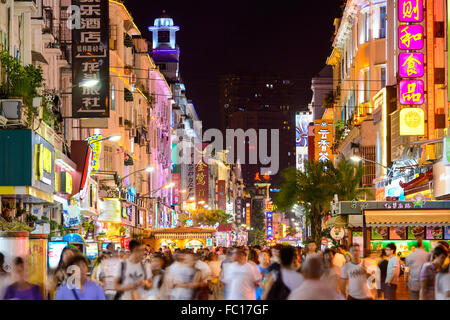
354,276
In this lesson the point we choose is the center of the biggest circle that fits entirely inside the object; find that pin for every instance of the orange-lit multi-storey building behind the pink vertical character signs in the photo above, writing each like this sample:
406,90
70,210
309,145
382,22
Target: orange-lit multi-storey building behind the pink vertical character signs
367,74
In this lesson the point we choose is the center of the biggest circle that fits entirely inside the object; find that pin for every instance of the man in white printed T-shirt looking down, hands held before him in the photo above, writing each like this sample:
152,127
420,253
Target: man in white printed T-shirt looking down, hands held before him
133,277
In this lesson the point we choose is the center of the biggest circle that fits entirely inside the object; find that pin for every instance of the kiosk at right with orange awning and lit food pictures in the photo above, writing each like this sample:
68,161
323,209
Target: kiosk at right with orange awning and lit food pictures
400,222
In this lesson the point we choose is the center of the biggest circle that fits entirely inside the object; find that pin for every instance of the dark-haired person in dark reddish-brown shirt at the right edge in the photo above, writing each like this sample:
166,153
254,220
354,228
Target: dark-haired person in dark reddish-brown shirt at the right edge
429,272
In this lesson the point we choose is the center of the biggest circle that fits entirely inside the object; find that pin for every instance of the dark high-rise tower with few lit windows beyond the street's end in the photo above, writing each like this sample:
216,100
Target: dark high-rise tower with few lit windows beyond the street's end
260,102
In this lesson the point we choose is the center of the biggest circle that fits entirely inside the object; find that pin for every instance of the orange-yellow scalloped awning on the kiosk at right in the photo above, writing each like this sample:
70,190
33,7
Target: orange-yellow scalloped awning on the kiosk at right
407,218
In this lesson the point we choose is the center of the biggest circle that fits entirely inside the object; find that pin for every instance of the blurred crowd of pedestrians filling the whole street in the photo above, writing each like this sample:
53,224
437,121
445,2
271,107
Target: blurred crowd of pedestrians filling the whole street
238,273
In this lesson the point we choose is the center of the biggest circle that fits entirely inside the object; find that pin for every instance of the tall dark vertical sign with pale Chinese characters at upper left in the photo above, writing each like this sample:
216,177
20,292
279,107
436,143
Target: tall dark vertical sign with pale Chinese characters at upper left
90,60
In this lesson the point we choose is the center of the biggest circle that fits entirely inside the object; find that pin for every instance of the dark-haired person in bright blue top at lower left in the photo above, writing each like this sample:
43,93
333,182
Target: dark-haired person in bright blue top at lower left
80,287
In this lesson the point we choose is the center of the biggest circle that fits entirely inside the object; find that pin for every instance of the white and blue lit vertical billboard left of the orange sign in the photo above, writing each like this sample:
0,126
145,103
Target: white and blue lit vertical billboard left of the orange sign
302,121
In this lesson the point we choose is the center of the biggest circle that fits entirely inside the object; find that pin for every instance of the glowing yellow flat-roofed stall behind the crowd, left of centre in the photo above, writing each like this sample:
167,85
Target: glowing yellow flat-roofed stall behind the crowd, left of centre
181,237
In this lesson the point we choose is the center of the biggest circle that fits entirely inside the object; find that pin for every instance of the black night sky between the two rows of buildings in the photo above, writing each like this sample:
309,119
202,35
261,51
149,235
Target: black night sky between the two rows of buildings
291,38
